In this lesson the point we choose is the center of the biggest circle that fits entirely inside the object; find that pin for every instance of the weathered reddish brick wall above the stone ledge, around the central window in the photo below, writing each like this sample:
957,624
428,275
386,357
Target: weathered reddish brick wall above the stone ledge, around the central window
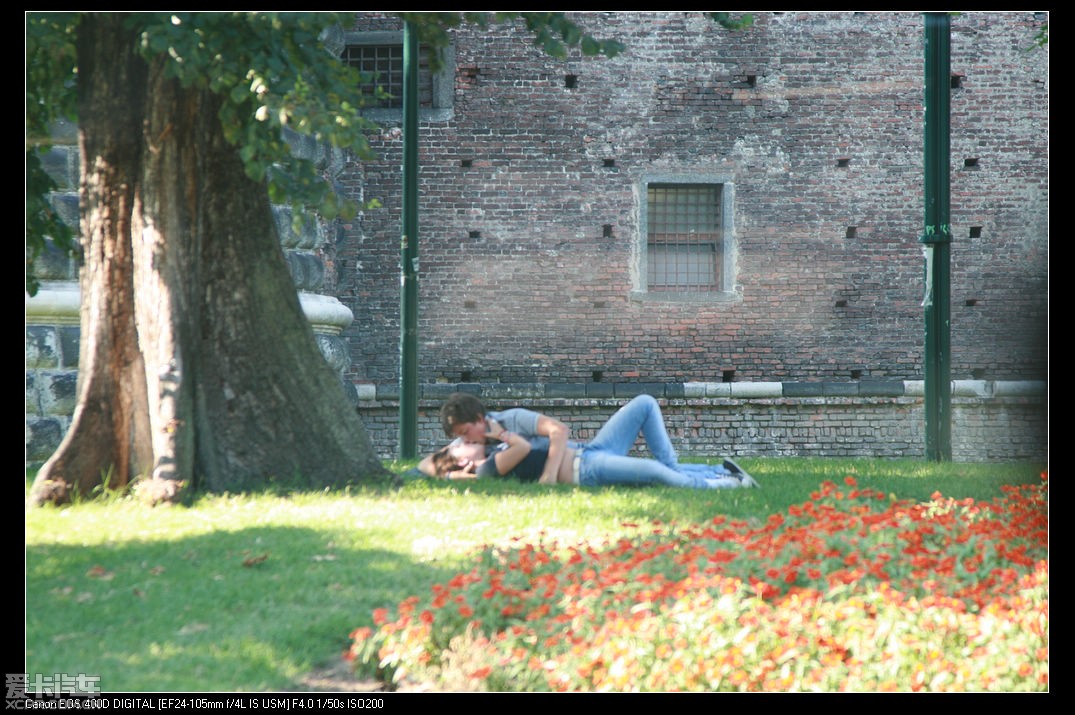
529,205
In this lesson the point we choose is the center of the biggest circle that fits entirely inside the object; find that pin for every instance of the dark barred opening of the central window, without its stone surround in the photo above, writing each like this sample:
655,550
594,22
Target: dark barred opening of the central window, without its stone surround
685,238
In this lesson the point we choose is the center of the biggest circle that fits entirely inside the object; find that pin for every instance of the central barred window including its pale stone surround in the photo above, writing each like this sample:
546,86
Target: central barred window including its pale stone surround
686,252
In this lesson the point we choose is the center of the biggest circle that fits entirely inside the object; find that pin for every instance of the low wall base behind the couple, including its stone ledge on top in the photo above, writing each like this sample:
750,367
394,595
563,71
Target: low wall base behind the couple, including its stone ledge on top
992,421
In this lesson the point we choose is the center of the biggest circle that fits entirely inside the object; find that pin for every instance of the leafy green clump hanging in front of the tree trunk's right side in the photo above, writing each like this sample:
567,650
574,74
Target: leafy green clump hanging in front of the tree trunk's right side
277,77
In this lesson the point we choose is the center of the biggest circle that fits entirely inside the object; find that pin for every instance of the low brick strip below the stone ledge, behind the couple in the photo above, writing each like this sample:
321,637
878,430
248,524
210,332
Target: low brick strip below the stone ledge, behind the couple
1000,428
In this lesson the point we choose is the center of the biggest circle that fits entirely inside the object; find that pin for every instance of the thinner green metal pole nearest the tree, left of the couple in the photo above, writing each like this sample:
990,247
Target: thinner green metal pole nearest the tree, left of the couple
409,253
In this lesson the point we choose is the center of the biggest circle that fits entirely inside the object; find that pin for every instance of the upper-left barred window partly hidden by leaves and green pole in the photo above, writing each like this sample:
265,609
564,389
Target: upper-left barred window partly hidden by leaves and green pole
380,56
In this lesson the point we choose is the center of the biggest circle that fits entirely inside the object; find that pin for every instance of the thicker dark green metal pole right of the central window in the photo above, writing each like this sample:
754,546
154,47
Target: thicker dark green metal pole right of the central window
938,239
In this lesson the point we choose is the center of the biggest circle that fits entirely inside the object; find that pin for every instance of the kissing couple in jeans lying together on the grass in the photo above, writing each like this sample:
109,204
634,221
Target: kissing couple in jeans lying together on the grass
536,448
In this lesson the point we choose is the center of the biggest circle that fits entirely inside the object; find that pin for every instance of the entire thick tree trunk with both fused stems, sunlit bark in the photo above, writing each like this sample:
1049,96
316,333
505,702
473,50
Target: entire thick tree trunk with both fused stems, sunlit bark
198,366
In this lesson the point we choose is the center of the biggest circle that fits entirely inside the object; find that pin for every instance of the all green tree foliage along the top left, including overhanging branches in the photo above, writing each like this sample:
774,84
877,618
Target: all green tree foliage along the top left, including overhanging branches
276,76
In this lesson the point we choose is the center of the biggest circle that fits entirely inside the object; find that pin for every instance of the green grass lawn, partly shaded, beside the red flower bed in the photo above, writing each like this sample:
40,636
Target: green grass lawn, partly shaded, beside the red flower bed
252,593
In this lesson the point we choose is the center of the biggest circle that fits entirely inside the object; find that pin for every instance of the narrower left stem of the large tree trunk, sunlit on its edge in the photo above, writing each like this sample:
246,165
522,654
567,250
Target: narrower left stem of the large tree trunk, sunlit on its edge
110,427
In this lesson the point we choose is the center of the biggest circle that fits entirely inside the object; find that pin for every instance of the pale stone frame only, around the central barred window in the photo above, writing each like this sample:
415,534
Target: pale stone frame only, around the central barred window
729,290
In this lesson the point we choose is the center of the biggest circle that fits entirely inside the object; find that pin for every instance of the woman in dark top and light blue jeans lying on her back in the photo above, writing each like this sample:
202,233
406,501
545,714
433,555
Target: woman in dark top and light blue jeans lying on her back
599,463
